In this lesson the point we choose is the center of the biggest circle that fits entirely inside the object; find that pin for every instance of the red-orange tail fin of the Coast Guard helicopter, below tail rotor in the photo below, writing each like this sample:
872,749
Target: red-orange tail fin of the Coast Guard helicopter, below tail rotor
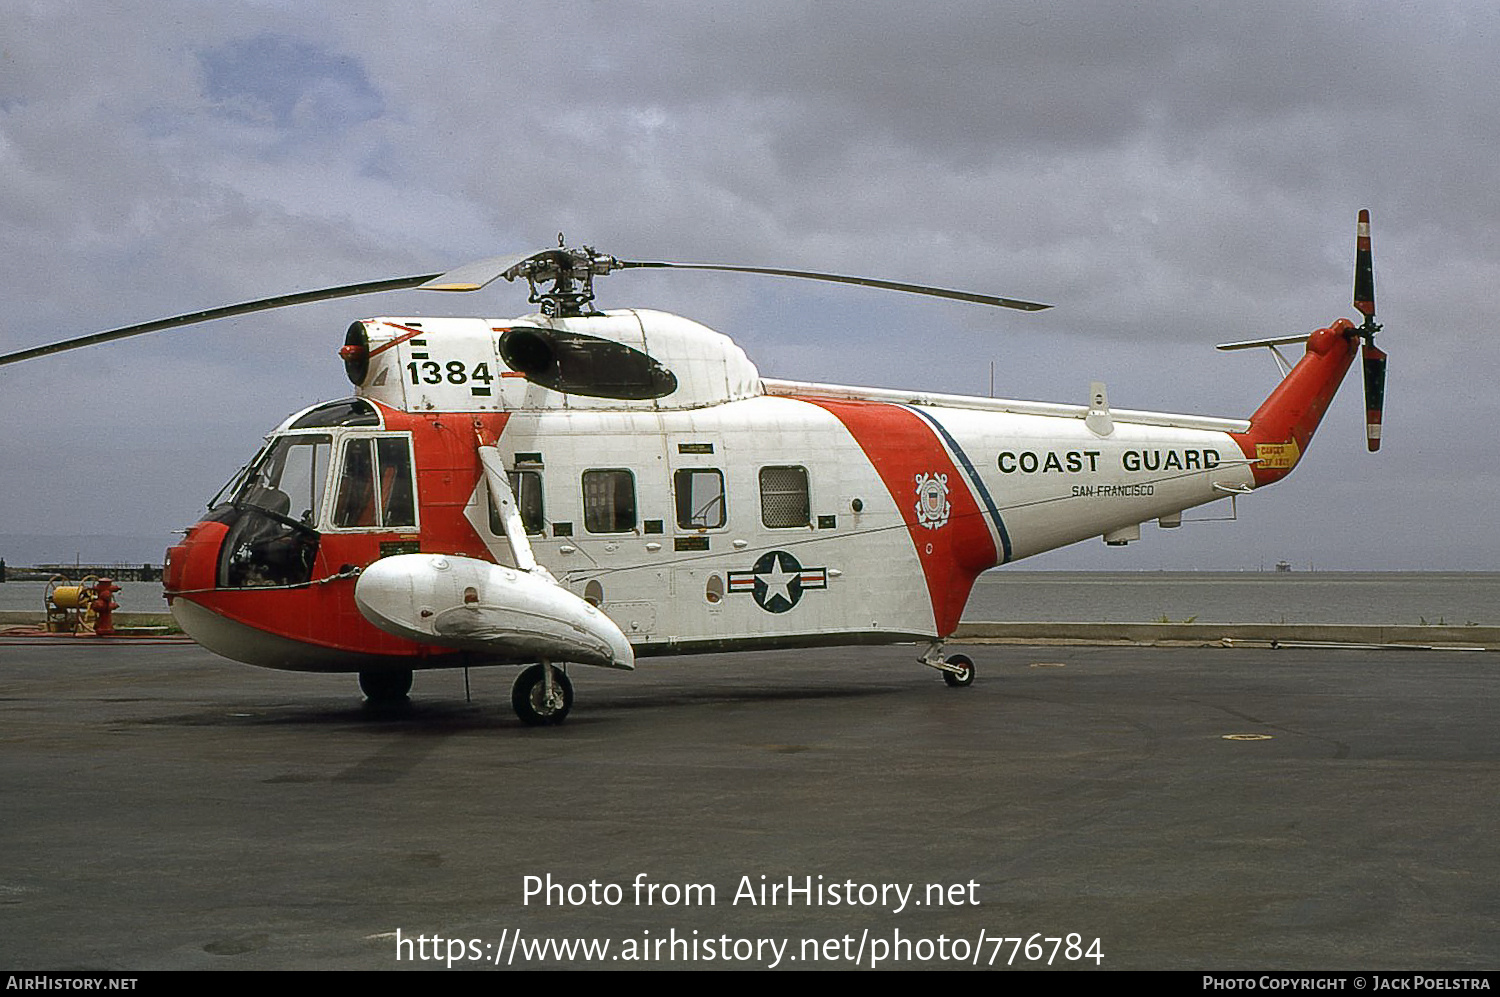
1283,427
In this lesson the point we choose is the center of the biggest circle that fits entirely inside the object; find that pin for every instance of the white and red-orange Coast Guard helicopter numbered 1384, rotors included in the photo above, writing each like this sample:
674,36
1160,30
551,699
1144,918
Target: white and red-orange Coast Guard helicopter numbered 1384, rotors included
583,487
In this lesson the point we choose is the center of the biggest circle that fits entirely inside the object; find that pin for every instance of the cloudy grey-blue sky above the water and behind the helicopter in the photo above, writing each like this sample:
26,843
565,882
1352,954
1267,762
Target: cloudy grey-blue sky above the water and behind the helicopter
1169,175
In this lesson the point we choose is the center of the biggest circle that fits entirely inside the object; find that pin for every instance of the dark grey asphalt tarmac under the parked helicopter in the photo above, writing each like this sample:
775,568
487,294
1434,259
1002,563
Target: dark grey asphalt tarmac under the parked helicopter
1186,809
